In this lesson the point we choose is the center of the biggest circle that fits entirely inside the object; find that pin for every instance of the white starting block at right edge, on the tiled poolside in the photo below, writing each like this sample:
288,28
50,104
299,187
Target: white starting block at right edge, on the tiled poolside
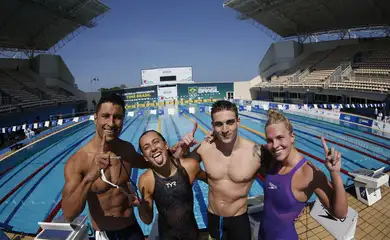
368,184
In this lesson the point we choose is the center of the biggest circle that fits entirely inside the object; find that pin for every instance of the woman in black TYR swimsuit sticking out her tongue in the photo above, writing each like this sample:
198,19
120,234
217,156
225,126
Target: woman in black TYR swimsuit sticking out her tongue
169,184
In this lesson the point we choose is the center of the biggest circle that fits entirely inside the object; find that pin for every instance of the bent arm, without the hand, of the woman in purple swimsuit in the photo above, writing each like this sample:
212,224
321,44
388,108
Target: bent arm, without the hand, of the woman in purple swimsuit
332,195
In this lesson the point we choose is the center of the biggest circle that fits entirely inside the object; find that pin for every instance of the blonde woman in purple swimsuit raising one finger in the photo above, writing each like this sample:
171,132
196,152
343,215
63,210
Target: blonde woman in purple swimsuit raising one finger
291,180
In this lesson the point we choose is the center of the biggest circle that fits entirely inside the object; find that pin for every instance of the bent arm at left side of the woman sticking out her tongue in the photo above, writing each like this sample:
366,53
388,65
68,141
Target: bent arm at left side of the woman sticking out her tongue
145,184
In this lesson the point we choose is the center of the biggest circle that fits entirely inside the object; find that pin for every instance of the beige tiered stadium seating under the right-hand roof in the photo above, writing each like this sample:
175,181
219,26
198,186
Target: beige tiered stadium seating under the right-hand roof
361,67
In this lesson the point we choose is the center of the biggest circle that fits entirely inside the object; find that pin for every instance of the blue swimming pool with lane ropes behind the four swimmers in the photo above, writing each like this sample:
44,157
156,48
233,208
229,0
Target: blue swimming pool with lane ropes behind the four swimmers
32,188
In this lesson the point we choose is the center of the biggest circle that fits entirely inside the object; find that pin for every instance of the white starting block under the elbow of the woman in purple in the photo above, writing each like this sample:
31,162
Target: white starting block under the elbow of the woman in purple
339,228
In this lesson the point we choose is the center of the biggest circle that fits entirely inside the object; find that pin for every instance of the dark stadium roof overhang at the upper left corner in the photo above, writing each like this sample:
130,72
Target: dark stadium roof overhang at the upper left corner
41,24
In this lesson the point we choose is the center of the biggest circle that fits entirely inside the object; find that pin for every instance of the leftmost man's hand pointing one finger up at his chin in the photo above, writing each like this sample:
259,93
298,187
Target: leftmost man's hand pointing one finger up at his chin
101,160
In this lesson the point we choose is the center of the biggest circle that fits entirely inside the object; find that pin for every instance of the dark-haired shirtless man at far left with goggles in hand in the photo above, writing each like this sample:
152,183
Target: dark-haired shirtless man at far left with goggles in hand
109,195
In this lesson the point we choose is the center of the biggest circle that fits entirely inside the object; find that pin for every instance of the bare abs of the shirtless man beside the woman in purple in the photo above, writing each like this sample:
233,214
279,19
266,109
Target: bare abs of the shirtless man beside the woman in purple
228,199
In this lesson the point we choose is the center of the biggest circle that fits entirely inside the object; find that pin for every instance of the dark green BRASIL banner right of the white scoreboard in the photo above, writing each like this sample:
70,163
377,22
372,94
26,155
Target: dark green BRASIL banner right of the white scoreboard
201,91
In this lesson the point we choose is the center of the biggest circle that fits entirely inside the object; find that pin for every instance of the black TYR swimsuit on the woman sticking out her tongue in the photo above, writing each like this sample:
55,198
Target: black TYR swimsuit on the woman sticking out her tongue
175,204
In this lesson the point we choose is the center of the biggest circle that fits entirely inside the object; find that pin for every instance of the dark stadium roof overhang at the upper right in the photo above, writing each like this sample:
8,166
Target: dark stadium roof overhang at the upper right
290,18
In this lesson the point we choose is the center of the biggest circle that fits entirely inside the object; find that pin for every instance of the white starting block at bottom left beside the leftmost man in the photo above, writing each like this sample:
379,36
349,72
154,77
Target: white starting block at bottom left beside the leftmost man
59,229
